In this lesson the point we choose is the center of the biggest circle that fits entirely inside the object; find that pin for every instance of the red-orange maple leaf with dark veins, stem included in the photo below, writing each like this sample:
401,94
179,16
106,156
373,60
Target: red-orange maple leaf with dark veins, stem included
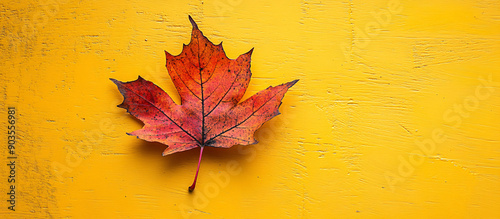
210,86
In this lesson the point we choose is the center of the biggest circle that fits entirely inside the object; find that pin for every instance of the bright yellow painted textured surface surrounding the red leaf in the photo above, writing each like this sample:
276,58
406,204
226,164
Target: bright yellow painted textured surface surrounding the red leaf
396,113
